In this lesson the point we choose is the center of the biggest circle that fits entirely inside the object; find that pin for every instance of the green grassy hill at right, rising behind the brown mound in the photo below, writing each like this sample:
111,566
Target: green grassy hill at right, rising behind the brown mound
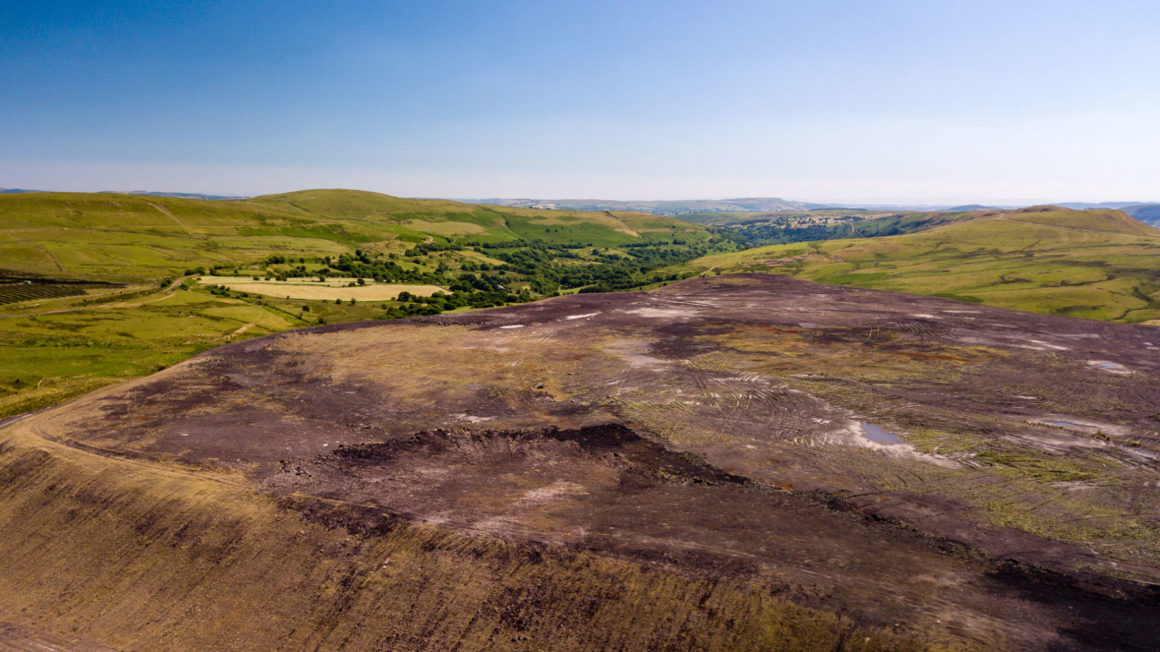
1099,265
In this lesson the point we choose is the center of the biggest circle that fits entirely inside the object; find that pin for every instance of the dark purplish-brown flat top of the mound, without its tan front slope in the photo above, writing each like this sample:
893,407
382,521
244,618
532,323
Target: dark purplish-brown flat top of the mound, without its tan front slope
715,428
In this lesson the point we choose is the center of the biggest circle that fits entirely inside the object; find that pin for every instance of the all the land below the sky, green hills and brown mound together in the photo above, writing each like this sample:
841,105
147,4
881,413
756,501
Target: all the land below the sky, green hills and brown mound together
346,421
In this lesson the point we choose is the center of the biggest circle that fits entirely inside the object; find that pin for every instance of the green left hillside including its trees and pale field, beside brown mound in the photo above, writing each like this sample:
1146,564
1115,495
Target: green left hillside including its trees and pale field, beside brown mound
97,288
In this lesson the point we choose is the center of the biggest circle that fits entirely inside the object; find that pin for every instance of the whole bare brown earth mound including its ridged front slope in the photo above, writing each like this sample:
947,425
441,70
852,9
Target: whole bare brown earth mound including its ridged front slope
762,459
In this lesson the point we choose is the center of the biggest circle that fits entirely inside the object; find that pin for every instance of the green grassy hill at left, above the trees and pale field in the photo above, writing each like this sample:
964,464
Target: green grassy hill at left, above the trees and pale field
134,238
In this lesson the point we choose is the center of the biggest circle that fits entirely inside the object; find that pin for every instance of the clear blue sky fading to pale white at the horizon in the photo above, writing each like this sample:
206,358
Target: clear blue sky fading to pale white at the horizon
871,102
